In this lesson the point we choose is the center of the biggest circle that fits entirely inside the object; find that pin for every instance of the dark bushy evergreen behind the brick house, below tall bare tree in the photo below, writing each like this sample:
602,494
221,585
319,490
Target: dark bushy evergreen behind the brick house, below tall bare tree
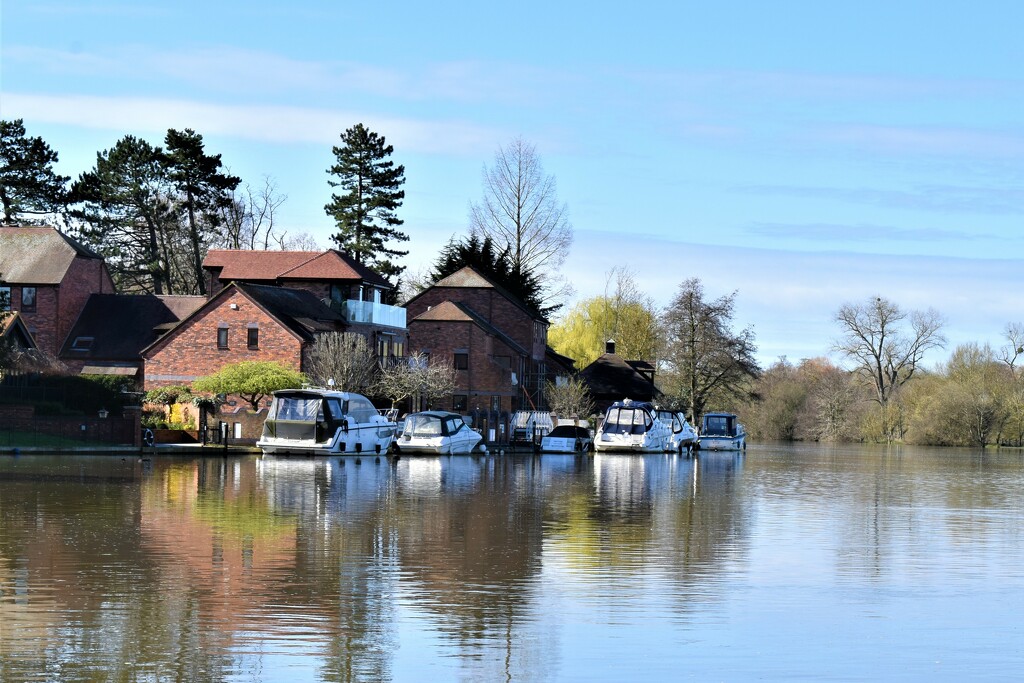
481,253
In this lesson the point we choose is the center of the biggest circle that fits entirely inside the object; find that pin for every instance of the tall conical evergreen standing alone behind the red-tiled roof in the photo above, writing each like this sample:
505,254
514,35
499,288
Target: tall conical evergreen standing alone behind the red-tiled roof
371,192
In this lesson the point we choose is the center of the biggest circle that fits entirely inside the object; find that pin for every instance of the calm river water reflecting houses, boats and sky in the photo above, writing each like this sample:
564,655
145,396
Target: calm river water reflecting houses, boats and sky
788,563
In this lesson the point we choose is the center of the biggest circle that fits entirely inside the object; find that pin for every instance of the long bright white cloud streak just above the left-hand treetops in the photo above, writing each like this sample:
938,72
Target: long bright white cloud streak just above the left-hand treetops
265,123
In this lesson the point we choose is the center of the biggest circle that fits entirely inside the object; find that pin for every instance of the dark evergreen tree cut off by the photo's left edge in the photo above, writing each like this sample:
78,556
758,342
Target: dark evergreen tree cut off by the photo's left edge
28,183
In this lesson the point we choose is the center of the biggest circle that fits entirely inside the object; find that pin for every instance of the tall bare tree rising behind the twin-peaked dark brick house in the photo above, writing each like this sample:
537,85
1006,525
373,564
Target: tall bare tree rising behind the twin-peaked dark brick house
521,211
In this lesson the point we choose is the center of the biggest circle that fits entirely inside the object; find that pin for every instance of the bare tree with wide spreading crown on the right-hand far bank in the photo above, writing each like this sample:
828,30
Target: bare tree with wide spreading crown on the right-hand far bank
886,355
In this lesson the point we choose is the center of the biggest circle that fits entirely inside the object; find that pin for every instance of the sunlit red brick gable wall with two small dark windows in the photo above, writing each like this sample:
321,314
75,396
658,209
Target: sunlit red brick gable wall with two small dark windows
193,352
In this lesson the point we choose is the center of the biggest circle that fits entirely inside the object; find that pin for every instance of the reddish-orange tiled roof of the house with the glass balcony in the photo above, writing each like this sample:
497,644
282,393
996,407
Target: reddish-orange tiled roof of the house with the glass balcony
237,265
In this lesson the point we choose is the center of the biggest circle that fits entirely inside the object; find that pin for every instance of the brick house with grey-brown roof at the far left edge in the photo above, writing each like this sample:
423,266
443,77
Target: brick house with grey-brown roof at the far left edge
50,277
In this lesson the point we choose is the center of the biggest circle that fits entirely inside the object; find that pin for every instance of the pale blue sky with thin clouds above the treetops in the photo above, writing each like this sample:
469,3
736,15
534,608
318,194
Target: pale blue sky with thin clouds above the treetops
803,154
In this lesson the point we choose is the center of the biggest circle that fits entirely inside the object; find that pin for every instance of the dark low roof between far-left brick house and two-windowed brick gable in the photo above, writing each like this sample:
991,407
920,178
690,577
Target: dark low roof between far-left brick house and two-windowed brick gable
120,326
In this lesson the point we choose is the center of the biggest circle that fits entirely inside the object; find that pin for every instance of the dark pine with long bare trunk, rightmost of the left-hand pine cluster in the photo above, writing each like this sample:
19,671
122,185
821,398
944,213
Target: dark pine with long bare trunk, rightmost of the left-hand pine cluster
204,192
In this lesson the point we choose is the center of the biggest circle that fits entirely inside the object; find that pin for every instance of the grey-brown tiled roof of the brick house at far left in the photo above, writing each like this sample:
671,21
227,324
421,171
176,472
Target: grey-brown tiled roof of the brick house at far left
37,255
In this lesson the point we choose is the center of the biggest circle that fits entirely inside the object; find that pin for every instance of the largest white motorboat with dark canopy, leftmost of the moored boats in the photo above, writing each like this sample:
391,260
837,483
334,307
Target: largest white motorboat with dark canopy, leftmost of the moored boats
325,422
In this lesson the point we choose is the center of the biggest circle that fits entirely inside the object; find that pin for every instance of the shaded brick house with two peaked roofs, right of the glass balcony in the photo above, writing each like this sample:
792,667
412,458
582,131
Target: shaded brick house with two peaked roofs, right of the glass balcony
497,344
